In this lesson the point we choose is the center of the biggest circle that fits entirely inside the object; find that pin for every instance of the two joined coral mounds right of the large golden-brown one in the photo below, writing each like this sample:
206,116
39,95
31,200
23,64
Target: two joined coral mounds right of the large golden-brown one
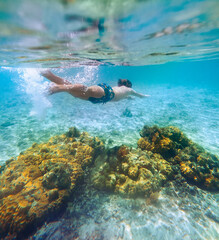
162,154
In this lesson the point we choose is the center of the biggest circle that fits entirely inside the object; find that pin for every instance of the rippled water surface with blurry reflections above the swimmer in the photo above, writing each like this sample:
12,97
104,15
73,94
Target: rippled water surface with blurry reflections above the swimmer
127,32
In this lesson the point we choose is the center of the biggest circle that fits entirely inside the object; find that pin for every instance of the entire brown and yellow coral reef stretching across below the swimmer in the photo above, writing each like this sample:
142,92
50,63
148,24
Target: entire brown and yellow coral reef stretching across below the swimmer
40,181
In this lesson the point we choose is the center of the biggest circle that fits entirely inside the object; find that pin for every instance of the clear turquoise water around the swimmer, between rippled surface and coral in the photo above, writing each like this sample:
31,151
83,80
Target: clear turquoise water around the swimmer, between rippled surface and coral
185,95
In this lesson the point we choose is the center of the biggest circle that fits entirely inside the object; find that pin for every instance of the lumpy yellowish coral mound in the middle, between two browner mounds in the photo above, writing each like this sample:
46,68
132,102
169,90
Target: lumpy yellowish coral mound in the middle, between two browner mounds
132,172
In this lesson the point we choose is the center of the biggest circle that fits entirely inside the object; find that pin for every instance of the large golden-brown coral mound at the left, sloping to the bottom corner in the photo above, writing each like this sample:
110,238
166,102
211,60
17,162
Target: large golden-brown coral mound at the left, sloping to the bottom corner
42,178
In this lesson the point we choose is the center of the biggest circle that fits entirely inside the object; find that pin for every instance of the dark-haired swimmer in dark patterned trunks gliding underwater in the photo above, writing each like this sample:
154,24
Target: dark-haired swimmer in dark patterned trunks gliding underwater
101,93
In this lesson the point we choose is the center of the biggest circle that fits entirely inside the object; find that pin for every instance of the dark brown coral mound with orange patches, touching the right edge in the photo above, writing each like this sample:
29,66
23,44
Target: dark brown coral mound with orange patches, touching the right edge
196,165
